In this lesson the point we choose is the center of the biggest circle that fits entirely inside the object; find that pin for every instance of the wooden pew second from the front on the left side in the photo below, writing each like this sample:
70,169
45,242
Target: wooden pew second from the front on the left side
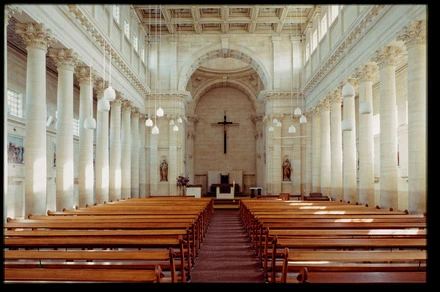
95,259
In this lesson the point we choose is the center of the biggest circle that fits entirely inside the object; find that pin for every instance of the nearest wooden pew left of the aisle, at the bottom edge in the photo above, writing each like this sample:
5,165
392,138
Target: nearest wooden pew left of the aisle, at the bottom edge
29,275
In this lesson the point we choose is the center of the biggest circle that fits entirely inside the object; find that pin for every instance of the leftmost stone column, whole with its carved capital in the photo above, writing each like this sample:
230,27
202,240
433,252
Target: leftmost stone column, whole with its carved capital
37,39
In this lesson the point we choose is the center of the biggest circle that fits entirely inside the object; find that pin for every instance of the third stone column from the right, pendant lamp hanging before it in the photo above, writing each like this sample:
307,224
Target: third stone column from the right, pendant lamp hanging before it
366,139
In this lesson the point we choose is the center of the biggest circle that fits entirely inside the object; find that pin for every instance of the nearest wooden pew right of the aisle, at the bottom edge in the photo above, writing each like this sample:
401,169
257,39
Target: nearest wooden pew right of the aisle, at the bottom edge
348,277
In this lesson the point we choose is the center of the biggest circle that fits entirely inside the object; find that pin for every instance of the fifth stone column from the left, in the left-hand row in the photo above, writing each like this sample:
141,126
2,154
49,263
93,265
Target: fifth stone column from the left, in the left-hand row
115,149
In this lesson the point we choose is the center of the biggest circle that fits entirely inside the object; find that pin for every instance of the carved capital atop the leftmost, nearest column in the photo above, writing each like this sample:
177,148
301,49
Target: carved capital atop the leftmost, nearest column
35,35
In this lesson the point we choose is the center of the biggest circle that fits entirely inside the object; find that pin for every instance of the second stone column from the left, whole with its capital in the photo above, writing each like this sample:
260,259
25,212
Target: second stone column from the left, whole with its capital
65,60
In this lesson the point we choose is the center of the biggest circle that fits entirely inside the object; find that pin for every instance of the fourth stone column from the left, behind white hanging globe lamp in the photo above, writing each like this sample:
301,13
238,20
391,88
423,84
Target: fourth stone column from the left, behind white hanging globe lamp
102,172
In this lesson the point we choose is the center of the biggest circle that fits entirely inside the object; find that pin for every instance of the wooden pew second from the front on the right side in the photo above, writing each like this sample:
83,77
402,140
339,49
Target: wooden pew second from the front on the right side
348,261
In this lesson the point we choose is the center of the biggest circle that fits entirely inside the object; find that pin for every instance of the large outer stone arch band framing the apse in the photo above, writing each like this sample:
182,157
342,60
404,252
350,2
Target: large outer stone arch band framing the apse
217,51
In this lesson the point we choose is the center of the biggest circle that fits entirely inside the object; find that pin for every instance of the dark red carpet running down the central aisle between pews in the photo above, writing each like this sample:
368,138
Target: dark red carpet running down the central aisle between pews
226,255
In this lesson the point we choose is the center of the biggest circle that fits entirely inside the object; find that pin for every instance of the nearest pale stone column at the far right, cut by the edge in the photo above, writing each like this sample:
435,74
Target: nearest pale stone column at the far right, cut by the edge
414,36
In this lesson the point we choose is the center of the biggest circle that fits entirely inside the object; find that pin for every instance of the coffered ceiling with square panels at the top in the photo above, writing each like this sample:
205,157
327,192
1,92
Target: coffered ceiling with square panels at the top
221,19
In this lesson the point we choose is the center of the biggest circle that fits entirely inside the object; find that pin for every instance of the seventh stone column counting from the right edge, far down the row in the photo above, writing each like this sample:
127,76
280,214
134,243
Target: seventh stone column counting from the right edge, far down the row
316,150
